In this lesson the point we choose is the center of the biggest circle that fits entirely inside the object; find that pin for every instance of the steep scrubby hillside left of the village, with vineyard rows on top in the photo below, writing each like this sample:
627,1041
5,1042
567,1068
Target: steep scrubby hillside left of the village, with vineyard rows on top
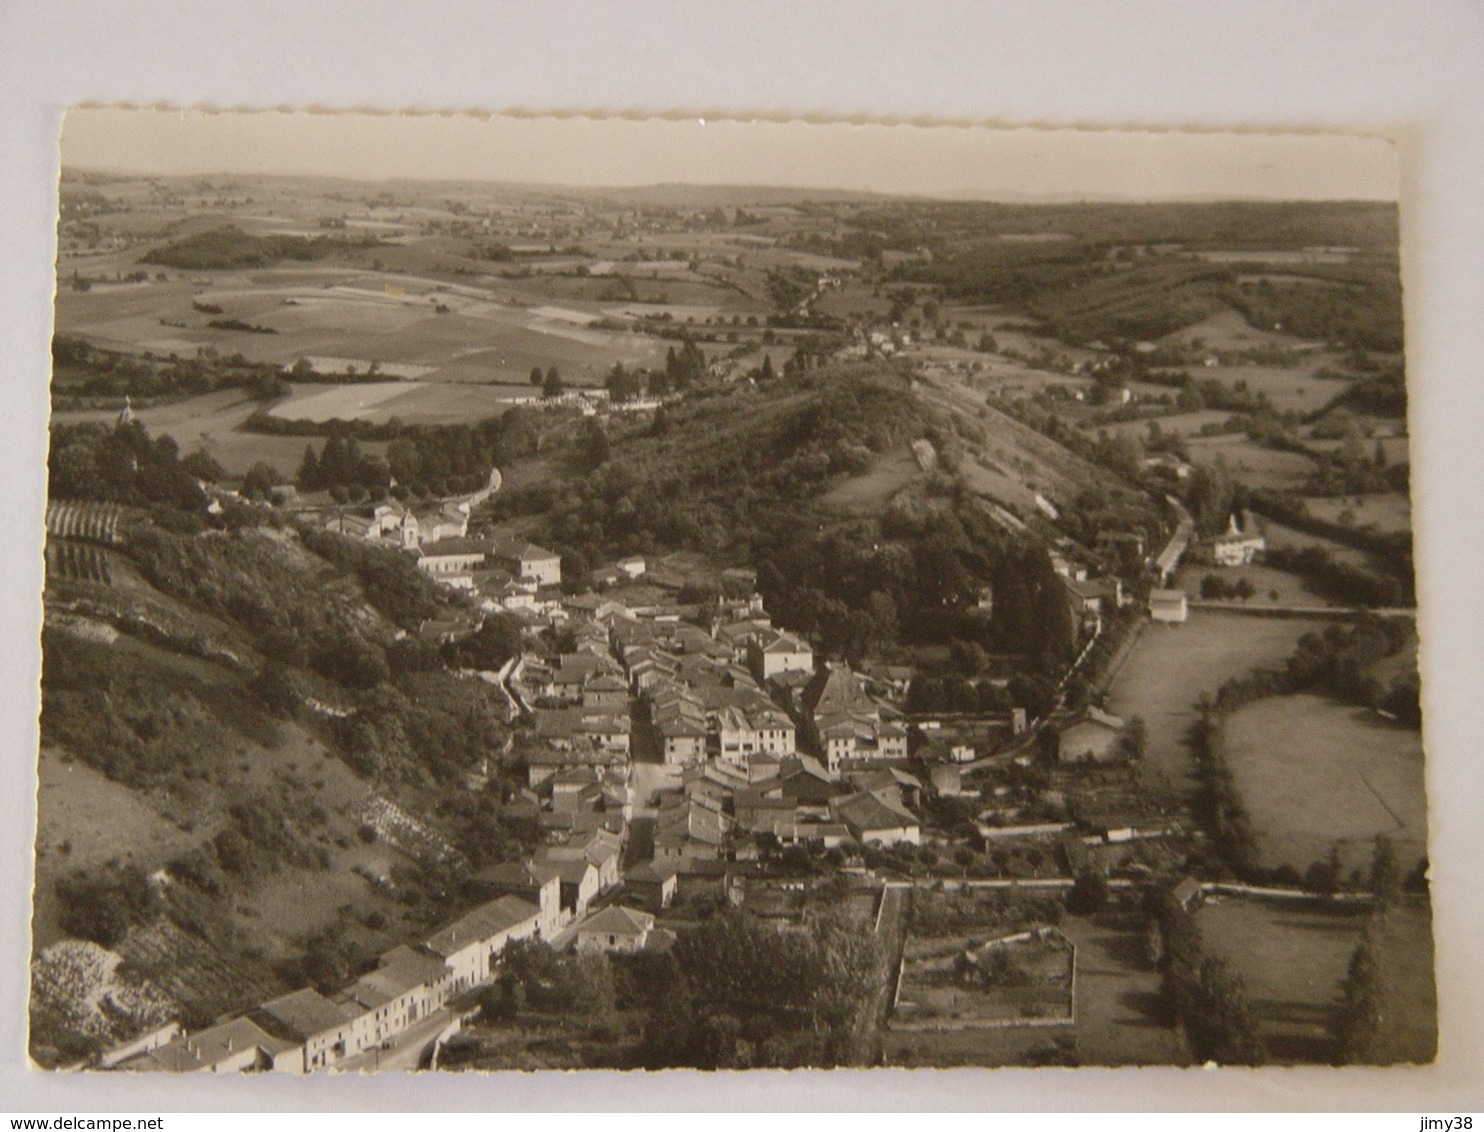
250,775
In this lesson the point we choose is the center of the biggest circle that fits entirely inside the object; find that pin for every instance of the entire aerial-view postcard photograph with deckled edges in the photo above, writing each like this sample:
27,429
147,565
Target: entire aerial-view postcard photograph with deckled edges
627,594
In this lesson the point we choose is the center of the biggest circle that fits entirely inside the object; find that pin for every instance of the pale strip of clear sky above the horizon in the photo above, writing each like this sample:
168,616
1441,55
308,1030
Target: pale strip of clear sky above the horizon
967,162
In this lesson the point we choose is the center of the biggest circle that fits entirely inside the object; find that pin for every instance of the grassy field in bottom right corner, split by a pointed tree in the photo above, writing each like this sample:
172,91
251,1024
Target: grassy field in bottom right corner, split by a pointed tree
1293,961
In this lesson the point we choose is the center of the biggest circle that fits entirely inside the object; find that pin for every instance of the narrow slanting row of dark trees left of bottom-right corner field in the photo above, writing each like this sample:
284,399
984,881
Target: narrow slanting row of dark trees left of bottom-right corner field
1206,996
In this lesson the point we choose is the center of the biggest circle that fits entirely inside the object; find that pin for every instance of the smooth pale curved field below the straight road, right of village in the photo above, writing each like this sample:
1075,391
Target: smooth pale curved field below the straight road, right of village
1173,664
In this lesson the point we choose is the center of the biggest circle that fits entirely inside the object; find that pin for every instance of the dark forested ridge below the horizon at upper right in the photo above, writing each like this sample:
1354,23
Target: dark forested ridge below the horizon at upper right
1078,290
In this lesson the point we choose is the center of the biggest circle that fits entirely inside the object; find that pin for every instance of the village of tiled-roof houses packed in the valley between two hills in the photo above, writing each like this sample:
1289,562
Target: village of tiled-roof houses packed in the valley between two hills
680,751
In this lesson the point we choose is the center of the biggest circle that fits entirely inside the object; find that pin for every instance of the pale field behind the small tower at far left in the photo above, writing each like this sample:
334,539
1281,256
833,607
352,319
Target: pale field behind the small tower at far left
211,422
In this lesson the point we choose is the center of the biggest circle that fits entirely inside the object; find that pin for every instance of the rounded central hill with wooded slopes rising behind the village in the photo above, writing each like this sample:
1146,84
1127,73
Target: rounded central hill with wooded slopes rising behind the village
811,481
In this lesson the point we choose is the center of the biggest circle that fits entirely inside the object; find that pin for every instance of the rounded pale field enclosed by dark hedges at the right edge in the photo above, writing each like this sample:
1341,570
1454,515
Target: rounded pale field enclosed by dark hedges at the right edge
1289,751
